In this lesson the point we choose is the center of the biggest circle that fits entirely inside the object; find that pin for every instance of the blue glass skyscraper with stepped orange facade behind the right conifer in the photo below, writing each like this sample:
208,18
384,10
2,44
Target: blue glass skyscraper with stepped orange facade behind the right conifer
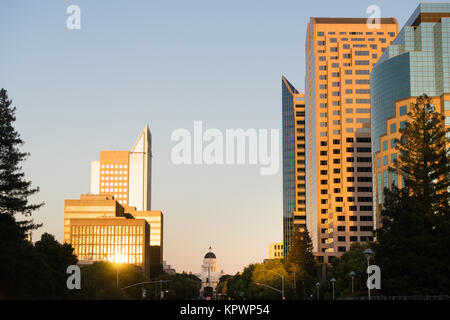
417,62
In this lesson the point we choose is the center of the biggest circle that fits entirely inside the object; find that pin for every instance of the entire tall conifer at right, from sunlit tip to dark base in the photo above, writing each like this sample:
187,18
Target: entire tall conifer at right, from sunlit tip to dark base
413,244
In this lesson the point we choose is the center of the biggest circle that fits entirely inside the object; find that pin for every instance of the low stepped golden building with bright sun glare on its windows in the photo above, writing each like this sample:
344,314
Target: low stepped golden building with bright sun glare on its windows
99,230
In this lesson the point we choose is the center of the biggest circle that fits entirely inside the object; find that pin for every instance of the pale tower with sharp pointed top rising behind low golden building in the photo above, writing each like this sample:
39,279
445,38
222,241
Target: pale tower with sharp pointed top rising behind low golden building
126,174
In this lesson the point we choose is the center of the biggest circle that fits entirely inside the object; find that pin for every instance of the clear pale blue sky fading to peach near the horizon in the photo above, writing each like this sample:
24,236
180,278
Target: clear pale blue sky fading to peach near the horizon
165,63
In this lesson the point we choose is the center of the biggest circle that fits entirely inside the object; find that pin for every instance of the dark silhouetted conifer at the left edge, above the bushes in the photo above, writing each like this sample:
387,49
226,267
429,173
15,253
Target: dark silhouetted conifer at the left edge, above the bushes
14,188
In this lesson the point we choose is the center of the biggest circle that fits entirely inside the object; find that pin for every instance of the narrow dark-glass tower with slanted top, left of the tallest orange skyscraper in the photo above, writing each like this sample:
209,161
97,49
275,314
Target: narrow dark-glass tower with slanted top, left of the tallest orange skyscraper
294,183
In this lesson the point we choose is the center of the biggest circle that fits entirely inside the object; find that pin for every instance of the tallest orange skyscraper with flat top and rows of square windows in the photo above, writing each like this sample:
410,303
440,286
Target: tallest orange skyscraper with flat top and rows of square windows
340,54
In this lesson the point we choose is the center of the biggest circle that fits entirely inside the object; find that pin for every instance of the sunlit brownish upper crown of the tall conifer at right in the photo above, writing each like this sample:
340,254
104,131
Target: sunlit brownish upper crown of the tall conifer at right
424,160
